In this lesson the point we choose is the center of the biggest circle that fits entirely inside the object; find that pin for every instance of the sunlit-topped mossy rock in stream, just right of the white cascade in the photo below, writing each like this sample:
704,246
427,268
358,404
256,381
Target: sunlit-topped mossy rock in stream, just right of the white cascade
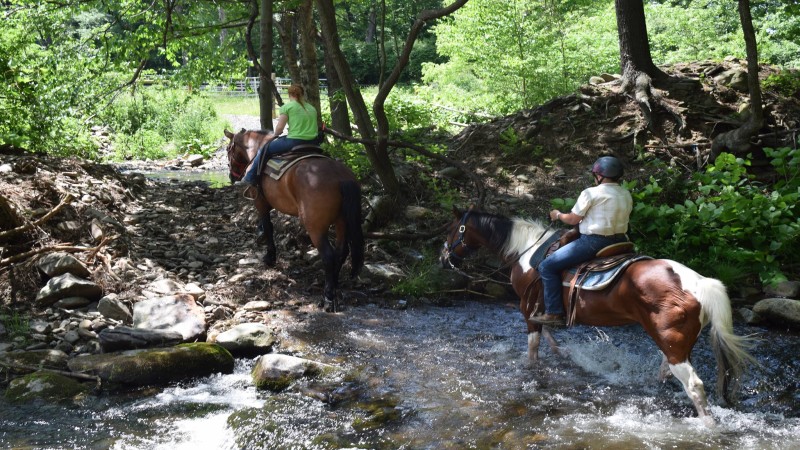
275,372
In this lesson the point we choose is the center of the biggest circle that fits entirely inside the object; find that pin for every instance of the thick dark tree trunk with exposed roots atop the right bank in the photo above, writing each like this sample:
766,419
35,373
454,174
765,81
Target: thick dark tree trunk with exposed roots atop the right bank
636,64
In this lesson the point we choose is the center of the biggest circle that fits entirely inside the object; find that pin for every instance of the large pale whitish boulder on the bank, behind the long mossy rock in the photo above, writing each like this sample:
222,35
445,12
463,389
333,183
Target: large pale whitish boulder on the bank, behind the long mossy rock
174,313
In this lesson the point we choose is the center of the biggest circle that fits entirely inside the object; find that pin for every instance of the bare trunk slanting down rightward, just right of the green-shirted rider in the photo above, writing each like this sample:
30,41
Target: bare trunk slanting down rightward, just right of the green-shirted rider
379,159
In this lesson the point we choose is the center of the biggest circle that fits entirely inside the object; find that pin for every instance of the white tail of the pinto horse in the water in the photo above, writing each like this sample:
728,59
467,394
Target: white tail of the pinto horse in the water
730,350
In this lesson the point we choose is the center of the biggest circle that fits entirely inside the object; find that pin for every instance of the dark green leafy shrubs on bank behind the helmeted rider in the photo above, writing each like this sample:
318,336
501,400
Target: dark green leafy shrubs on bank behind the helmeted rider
727,225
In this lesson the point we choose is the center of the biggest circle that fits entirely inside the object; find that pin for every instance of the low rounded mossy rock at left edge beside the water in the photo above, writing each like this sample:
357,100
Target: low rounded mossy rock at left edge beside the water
47,386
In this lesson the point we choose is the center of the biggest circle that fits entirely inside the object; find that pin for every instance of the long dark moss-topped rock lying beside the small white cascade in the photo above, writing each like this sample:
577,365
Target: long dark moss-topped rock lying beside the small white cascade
157,366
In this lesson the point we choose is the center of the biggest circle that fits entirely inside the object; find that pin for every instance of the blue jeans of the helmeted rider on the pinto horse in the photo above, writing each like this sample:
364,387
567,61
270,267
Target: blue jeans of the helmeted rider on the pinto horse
580,250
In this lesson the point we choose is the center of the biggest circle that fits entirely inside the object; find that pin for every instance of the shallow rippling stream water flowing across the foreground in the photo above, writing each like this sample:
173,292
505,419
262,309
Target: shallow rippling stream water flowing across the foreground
439,378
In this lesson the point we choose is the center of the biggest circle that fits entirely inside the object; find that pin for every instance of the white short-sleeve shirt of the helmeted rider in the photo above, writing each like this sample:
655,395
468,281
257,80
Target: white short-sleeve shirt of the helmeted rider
605,208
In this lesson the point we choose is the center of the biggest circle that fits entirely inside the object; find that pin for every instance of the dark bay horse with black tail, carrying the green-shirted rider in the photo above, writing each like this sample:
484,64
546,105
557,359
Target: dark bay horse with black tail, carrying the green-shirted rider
319,191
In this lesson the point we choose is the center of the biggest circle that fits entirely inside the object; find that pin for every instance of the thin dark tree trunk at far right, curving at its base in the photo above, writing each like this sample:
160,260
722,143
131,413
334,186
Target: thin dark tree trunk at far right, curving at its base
738,141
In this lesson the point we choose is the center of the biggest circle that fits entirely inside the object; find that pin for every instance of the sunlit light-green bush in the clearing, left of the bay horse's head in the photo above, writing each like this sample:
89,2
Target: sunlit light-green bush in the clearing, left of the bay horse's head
158,123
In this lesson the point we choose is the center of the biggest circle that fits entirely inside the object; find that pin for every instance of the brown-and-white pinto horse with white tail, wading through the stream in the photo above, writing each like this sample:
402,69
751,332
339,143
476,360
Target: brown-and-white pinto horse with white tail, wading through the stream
670,301
